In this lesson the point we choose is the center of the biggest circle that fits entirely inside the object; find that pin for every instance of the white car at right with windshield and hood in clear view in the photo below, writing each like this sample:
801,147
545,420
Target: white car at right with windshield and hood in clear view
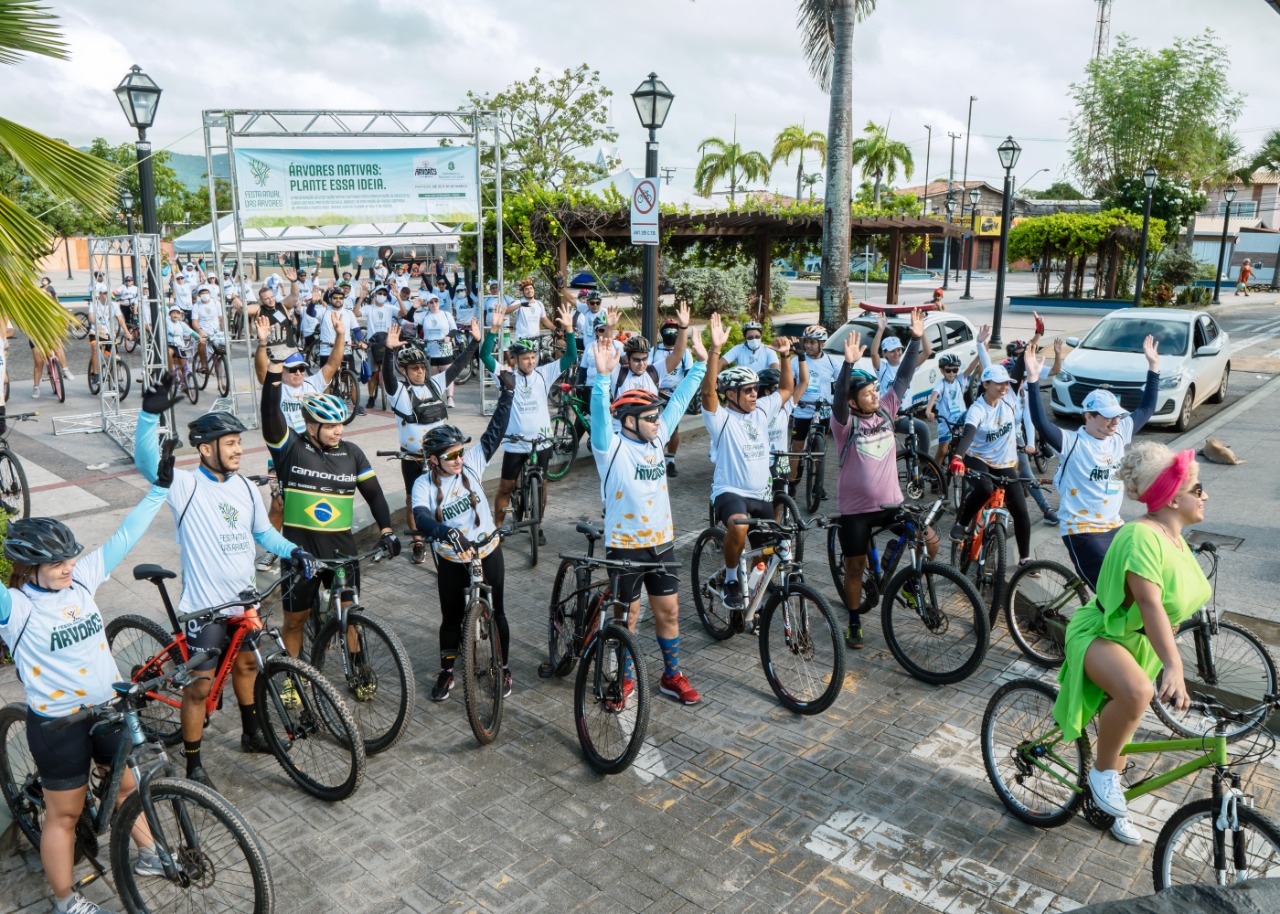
1195,364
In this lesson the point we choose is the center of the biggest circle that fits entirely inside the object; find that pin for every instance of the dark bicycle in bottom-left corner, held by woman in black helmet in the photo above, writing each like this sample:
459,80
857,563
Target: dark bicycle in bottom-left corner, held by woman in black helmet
203,842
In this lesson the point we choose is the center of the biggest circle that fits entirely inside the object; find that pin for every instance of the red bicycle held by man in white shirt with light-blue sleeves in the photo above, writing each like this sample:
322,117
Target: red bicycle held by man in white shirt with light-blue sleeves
307,724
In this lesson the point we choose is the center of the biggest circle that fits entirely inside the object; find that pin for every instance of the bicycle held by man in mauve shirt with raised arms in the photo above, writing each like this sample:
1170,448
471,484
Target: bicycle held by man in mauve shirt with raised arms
934,620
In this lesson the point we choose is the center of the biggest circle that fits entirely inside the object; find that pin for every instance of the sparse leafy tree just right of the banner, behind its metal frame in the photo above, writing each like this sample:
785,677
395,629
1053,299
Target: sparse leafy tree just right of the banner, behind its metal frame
547,124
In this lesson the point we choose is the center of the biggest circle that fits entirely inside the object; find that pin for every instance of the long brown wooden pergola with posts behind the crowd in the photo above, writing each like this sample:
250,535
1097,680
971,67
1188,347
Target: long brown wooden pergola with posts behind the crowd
765,227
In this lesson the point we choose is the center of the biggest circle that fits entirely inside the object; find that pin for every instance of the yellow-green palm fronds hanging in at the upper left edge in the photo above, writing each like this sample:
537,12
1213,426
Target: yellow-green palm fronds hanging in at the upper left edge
63,172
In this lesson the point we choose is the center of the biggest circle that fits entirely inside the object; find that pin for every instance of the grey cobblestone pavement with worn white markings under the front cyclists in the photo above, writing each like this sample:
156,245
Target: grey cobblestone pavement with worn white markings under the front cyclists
880,805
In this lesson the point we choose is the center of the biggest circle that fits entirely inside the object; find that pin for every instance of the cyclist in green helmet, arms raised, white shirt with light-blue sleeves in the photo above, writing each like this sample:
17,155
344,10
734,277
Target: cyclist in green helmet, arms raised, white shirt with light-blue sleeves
531,414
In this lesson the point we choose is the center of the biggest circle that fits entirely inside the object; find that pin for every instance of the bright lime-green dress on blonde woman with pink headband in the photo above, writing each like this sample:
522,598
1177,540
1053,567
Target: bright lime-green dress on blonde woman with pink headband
1149,554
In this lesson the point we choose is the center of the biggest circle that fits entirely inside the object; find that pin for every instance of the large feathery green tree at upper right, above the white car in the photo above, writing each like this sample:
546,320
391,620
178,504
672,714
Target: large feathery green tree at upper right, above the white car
1168,109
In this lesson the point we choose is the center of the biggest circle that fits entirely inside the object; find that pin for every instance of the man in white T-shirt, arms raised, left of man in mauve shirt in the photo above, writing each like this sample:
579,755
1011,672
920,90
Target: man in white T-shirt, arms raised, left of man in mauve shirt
742,486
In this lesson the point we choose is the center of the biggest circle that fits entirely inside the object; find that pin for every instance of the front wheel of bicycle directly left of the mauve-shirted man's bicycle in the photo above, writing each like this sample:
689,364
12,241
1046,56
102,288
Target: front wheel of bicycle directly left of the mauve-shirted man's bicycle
802,650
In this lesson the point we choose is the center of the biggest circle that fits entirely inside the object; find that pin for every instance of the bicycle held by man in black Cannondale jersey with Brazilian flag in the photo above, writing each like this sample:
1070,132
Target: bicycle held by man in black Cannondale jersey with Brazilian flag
376,675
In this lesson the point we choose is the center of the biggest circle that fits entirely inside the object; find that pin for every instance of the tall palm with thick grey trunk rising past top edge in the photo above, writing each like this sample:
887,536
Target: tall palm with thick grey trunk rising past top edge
828,33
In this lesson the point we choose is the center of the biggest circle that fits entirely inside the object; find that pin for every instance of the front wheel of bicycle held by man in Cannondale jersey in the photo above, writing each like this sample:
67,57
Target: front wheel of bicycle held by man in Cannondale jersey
381,689
